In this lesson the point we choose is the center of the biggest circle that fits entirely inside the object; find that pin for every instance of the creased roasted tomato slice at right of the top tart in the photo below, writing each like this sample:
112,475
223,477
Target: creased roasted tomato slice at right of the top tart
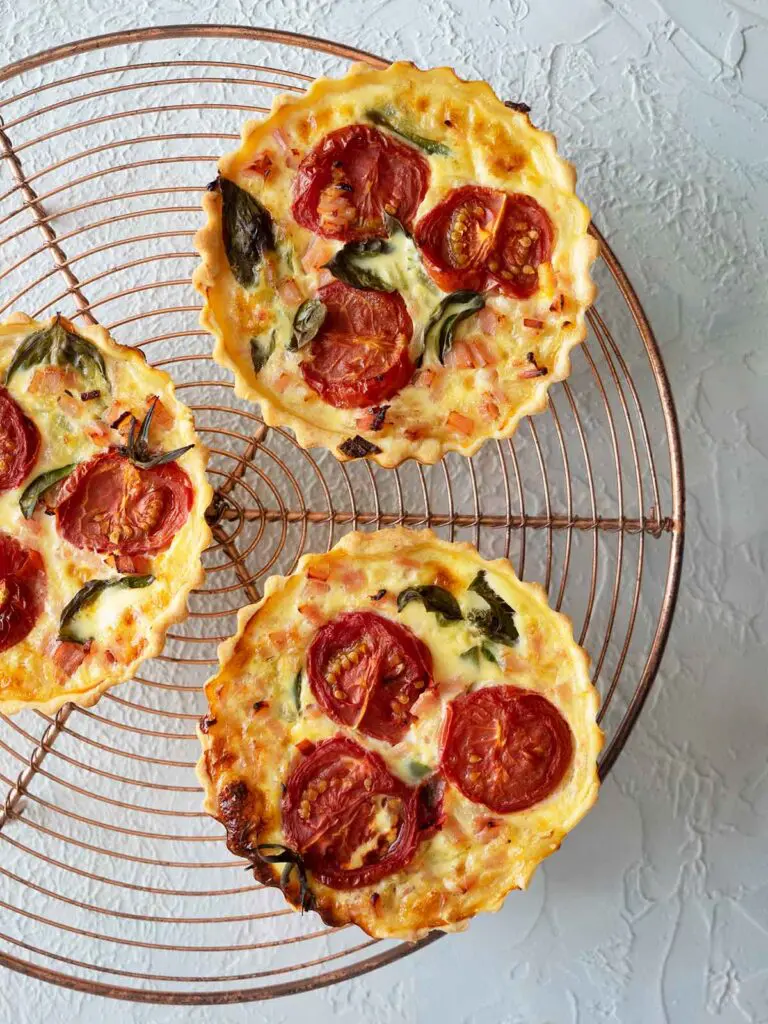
477,238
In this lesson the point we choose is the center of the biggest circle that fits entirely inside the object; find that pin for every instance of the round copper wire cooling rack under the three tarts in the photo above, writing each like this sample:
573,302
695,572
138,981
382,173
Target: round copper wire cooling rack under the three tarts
112,879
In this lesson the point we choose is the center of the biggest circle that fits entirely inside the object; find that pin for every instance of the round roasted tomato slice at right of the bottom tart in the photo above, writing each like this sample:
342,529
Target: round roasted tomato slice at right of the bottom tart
505,748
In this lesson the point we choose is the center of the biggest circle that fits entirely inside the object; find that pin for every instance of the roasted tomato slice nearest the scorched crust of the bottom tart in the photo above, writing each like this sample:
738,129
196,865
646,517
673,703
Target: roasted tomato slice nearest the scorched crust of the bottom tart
350,818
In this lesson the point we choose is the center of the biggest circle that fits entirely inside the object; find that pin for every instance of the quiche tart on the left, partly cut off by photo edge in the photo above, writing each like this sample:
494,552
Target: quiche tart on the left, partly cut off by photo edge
103,500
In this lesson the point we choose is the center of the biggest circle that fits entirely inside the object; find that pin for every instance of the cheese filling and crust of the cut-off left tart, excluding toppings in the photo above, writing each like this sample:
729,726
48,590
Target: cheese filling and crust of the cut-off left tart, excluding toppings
127,626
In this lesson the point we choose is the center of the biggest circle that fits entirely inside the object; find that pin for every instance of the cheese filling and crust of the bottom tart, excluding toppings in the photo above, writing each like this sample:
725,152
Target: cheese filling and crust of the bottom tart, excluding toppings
470,866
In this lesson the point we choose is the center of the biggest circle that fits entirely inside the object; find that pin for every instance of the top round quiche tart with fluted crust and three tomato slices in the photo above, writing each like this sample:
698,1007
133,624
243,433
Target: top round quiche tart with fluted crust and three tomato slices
396,265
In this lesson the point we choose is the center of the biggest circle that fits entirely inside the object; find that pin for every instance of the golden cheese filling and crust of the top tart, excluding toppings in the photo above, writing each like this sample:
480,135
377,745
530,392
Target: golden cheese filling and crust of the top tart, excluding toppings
488,145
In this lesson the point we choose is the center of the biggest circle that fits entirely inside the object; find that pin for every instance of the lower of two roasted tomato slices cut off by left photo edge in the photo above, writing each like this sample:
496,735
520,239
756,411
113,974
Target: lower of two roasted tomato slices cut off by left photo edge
22,591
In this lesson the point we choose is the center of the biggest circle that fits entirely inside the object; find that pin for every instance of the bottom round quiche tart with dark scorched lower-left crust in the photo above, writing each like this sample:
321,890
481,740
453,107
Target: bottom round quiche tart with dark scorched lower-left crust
399,734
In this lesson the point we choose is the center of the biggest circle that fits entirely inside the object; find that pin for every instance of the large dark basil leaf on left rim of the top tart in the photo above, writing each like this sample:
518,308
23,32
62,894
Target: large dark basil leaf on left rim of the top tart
247,231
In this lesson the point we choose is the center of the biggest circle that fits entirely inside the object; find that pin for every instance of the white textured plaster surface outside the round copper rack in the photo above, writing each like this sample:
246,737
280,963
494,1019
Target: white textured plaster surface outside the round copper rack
658,909
